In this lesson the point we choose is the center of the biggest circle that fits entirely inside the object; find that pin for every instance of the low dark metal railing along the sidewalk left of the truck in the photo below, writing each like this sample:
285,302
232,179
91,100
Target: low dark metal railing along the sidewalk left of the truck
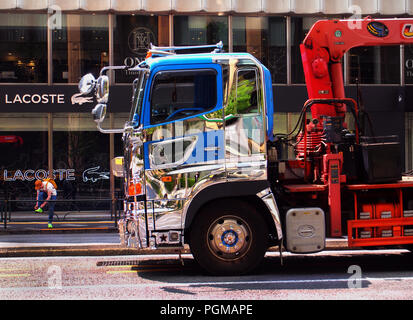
74,210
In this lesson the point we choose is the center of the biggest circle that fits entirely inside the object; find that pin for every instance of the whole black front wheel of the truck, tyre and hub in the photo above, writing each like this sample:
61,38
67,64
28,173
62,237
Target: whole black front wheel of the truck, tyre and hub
229,238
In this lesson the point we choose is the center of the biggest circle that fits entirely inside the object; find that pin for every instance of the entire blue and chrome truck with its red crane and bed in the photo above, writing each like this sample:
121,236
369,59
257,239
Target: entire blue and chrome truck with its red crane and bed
203,167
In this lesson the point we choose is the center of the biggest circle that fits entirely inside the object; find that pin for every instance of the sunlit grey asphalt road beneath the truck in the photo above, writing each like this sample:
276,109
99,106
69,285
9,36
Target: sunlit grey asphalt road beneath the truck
332,275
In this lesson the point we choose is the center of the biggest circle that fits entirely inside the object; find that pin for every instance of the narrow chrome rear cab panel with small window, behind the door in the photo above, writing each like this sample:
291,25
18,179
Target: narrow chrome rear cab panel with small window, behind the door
245,132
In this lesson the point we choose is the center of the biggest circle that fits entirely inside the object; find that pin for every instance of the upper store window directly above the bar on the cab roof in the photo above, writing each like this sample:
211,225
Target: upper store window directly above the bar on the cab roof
200,30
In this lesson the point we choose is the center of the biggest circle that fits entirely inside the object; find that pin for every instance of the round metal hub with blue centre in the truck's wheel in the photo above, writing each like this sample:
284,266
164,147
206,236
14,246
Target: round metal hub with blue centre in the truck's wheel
229,238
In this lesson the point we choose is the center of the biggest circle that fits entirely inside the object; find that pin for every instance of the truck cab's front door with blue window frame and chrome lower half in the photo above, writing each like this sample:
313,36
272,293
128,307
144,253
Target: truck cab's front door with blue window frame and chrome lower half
180,143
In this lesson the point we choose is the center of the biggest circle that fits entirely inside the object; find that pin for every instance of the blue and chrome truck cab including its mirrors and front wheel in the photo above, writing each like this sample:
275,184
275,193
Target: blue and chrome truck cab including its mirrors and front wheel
195,163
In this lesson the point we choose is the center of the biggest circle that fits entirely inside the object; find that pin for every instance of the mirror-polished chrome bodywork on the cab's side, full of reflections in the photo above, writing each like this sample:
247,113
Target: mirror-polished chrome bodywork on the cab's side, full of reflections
187,156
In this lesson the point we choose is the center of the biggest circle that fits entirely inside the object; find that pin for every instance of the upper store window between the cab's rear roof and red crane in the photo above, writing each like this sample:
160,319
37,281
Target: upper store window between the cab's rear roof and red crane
265,38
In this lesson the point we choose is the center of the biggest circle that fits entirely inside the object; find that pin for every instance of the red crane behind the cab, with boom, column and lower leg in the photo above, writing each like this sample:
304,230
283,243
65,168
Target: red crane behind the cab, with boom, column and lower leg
322,53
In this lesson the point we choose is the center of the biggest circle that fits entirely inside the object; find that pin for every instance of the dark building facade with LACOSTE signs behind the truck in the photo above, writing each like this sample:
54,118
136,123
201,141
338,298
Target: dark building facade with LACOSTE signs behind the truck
47,45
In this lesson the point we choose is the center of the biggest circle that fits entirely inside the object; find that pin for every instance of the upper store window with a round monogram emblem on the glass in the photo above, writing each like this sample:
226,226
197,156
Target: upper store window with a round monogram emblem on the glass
133,35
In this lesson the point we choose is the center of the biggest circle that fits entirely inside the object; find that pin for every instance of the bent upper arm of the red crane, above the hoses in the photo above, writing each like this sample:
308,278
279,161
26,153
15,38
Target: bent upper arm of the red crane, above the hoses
325,45
